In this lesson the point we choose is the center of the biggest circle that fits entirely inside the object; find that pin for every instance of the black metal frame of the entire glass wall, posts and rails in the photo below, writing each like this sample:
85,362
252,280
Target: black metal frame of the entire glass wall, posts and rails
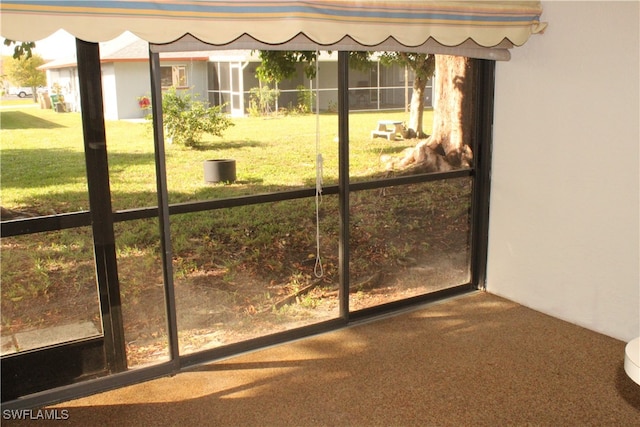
102,219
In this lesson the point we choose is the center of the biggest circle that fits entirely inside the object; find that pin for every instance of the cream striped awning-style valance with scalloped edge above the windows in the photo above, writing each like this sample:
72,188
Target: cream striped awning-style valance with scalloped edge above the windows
423,26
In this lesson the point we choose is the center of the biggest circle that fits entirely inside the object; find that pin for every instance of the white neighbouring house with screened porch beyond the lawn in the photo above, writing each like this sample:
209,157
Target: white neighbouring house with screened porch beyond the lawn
223,78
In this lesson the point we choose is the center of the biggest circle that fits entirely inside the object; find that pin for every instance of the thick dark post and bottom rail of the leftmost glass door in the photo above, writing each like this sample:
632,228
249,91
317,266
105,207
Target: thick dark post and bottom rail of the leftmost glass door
67,363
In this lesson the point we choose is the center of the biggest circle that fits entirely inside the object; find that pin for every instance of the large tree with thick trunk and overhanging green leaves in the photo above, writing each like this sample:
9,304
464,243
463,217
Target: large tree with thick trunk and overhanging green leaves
449,146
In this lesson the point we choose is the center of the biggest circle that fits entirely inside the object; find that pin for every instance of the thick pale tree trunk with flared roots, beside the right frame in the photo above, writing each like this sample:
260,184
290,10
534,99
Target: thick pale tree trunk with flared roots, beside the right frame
449,146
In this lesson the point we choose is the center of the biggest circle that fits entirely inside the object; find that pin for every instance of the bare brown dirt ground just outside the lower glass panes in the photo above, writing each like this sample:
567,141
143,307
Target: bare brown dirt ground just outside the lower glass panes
214,309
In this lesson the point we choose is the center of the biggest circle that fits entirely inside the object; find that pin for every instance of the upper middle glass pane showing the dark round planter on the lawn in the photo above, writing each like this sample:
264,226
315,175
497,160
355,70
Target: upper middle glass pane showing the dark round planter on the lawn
273,147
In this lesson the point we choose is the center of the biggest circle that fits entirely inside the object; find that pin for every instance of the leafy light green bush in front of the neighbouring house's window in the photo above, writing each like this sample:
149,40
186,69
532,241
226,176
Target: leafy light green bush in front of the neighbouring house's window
186,119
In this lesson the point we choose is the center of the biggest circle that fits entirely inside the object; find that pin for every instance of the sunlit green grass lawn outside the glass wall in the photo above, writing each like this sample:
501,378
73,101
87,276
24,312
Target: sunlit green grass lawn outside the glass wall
43,172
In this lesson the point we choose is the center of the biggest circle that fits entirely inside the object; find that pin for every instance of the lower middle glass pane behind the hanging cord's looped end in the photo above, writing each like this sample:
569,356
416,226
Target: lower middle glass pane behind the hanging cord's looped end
248,271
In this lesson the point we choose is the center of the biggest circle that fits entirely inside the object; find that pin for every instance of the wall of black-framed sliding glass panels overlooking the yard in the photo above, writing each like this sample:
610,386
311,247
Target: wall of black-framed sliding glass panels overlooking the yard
145,264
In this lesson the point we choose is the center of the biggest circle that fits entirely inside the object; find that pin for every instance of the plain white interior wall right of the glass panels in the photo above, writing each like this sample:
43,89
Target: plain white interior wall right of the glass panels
564,221
